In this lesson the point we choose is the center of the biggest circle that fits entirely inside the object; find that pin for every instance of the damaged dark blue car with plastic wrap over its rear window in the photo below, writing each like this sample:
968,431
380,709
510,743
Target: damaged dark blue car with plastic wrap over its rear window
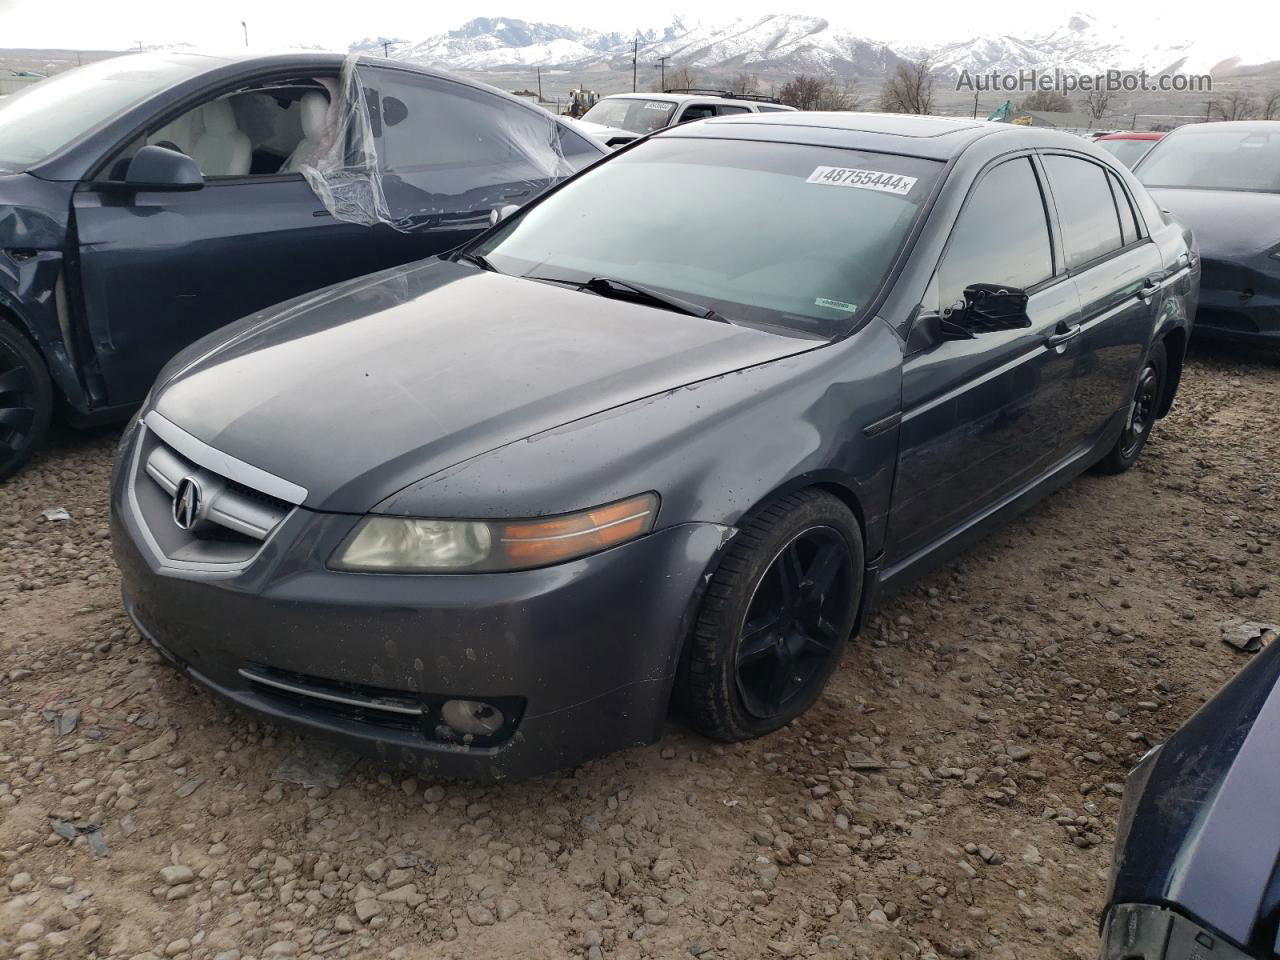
148,200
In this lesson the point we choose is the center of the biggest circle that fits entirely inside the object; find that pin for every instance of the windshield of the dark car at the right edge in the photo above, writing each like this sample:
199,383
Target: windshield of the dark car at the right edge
1215,159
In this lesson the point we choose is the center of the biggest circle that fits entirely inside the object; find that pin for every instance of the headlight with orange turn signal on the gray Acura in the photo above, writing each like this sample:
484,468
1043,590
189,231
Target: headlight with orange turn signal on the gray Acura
406,546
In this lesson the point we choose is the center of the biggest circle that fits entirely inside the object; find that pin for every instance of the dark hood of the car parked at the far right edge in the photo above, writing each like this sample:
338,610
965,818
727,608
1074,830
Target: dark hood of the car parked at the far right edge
1228,225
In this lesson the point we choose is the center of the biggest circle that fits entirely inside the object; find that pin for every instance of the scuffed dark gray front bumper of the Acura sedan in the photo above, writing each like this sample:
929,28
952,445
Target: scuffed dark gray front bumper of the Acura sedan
587,651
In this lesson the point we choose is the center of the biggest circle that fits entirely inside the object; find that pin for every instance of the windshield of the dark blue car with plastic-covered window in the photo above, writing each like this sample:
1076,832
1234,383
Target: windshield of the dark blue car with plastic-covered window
48,116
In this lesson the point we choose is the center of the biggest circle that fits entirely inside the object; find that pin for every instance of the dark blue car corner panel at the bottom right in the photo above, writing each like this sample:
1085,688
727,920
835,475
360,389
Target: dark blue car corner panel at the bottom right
1201,825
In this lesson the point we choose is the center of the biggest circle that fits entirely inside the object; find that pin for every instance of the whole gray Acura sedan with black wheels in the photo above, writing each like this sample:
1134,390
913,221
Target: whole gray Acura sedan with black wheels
661,437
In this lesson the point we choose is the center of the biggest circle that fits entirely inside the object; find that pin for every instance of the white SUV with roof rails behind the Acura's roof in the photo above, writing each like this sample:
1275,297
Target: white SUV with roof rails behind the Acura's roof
625,117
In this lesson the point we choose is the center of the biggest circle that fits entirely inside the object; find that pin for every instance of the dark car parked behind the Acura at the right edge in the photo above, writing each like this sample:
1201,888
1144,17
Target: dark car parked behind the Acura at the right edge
1224,181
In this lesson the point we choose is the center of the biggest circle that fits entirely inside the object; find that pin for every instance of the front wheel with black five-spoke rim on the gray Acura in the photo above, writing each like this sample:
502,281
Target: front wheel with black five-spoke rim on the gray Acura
775,619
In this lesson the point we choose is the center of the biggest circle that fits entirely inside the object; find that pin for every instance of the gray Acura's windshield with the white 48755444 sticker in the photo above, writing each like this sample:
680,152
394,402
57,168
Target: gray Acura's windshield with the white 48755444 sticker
772,235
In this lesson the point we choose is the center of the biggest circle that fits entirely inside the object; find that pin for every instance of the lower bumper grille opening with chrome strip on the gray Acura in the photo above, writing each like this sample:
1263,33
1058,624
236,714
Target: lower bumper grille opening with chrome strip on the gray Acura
380,707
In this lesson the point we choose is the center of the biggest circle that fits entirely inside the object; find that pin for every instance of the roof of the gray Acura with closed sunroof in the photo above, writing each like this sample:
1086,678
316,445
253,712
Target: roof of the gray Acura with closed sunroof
931,138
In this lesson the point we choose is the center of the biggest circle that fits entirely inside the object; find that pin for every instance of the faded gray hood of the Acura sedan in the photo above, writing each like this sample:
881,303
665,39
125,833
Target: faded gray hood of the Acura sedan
377,383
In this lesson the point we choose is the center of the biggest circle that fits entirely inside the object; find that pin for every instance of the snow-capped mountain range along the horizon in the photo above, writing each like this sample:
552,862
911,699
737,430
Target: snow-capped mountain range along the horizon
797,43
